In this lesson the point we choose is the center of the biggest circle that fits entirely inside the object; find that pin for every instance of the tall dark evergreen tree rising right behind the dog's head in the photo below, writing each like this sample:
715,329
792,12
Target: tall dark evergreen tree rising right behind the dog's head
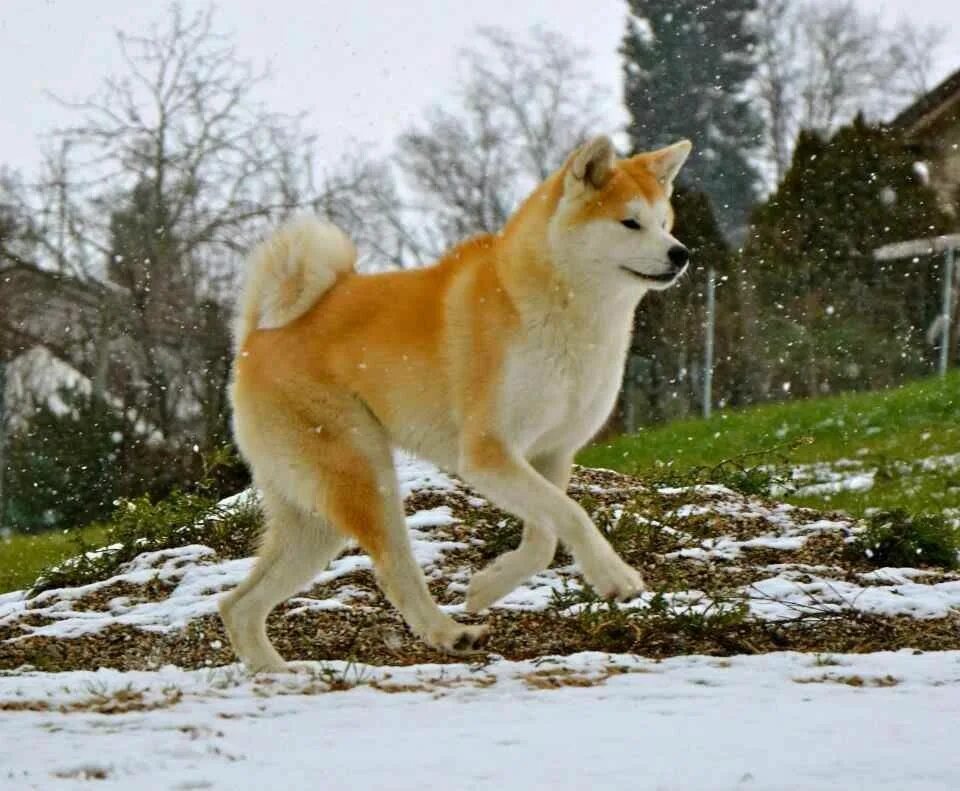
685,65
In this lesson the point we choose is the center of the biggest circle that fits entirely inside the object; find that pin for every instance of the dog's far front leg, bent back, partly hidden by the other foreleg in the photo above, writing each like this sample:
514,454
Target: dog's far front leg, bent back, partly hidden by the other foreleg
536,550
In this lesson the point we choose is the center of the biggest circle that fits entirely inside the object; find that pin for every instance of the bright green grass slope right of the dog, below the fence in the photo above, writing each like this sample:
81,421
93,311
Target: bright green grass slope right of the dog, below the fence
888,430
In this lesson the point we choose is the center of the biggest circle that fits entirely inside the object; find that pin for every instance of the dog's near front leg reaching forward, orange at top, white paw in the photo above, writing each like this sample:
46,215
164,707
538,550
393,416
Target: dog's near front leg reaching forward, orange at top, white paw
511,483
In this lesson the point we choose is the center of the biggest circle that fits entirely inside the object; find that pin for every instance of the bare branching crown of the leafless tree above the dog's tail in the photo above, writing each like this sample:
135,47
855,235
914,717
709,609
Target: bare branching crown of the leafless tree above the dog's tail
184,124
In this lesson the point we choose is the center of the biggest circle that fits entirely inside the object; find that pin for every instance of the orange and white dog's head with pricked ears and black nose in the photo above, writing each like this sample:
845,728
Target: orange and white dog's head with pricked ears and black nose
613,219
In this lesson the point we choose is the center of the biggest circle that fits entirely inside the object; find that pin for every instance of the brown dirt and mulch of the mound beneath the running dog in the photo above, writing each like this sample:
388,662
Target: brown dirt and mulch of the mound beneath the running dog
648,527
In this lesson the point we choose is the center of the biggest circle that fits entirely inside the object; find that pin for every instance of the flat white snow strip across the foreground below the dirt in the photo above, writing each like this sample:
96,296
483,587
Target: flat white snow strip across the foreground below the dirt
789,722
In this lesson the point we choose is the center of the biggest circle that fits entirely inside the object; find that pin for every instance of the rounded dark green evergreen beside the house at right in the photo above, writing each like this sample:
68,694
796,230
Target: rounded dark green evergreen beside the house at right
833,317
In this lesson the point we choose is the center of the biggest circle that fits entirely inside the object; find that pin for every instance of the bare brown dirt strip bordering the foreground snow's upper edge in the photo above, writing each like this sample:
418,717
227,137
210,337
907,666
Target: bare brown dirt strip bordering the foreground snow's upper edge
380,637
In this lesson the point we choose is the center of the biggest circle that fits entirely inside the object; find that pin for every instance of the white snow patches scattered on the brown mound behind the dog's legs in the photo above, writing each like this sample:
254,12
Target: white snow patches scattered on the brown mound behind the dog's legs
777,591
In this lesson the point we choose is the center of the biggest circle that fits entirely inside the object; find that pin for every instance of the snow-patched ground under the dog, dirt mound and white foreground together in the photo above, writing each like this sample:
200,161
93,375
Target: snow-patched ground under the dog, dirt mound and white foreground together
777,720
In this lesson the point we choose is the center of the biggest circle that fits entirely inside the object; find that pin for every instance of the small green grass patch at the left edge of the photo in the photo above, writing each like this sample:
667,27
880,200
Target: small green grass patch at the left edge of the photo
23,557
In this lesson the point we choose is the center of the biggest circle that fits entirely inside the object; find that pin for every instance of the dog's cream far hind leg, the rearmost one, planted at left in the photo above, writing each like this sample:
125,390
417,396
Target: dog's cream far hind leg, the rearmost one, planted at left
295,546
